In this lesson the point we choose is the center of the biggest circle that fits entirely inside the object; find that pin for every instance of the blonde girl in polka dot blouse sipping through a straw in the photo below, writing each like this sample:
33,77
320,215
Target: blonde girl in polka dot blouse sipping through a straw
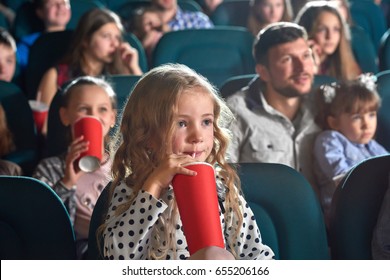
173,116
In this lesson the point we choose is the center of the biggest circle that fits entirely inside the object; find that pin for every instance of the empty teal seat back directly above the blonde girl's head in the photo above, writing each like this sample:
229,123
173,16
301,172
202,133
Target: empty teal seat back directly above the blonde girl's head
217,53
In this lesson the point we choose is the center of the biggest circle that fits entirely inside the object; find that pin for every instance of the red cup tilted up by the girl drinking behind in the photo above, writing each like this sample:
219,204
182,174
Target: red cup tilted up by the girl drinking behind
92,129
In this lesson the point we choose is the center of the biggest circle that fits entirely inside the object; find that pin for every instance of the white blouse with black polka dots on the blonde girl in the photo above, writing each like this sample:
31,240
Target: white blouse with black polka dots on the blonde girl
129,235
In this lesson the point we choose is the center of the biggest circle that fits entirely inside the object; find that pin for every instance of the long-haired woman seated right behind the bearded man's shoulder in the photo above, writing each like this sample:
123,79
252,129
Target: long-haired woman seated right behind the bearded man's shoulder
330,39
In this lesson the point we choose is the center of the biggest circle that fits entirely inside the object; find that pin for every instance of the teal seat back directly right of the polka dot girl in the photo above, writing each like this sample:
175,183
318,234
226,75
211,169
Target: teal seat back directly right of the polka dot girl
287,211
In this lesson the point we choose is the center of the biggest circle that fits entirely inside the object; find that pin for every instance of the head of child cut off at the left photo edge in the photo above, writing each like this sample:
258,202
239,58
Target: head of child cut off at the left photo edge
7,56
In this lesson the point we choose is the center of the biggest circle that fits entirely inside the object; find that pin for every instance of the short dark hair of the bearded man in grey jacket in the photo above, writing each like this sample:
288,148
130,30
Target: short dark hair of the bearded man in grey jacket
275,34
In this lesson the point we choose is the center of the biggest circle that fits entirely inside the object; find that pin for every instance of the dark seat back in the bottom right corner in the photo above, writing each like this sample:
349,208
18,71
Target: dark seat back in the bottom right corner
355,208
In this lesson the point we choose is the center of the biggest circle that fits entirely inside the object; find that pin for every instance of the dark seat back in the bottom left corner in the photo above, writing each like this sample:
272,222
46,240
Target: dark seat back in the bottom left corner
34,223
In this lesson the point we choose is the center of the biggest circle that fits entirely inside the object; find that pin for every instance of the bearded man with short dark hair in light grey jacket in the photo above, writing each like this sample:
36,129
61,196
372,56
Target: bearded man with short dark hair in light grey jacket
275,121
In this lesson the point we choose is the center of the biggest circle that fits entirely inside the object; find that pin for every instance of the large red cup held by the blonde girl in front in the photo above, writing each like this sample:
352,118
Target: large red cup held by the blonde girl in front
197,201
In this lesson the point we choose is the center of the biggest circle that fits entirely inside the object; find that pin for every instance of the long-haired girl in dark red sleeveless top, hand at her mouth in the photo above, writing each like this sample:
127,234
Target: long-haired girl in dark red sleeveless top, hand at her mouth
96,49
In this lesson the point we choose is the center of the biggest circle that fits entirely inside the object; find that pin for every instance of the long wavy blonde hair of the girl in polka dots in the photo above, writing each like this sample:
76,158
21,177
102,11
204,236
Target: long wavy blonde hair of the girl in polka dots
149,116
